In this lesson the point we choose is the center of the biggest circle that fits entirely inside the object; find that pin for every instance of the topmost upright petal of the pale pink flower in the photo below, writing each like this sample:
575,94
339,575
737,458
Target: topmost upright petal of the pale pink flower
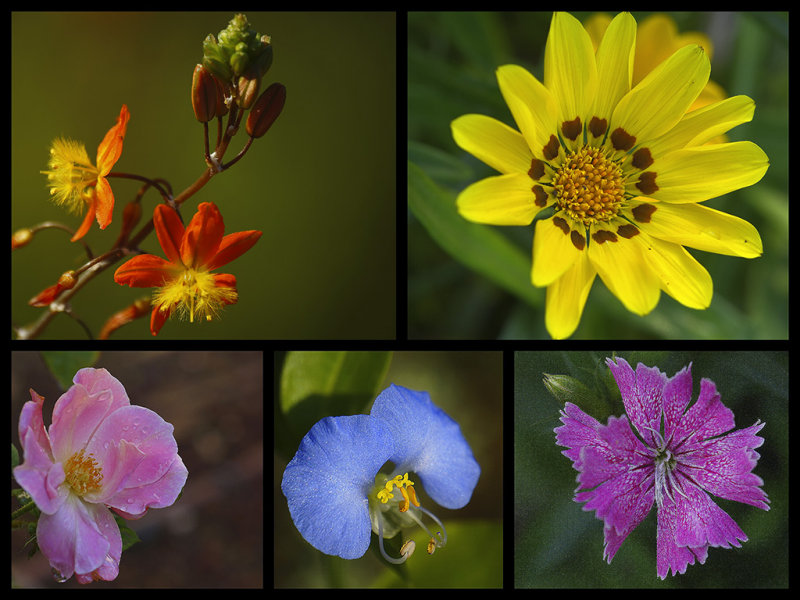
80,410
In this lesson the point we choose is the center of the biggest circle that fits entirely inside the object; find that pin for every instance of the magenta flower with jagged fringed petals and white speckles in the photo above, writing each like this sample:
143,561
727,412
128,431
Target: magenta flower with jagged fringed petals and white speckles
675,466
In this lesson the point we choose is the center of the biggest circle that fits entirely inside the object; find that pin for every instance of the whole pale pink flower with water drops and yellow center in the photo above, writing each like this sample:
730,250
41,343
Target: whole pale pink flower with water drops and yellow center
100,453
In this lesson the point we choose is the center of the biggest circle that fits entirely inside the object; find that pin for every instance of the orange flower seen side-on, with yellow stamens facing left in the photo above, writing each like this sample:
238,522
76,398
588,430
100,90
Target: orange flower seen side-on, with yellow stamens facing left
75,182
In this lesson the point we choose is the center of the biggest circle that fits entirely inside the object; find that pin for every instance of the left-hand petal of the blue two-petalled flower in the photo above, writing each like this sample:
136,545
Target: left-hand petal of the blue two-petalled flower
327,481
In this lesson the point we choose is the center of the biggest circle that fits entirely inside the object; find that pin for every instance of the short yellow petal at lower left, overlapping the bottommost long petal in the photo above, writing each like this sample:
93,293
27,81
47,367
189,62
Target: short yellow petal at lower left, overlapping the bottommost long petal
556,247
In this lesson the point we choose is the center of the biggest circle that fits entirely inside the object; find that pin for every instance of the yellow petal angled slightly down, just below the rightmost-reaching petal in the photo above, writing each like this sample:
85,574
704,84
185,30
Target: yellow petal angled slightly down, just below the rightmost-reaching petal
696,226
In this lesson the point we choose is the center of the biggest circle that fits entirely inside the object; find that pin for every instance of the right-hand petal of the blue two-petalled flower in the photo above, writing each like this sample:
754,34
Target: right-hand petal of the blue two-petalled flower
430,443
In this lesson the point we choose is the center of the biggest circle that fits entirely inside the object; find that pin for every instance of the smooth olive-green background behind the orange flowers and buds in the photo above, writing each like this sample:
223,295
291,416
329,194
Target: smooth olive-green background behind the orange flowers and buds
320,185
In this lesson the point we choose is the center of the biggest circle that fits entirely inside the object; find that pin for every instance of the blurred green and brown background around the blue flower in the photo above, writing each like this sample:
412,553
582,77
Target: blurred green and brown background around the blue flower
468,386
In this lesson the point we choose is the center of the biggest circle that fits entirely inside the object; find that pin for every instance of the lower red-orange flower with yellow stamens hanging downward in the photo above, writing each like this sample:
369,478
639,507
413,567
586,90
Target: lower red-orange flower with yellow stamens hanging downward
184,280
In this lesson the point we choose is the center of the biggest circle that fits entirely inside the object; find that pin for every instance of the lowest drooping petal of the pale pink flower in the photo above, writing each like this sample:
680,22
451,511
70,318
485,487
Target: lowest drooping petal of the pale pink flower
80,538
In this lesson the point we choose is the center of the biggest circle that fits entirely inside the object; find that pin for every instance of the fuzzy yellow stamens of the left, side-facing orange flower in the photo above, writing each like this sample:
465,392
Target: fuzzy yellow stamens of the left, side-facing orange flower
71,174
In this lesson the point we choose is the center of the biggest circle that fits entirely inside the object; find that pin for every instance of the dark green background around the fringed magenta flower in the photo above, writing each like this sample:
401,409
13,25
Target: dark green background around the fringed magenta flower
557,544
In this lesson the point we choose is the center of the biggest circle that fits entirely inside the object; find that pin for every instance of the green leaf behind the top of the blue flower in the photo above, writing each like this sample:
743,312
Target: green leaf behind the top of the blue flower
319,384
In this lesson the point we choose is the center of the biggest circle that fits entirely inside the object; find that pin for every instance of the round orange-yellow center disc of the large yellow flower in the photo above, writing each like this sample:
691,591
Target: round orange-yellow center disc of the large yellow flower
589,186
